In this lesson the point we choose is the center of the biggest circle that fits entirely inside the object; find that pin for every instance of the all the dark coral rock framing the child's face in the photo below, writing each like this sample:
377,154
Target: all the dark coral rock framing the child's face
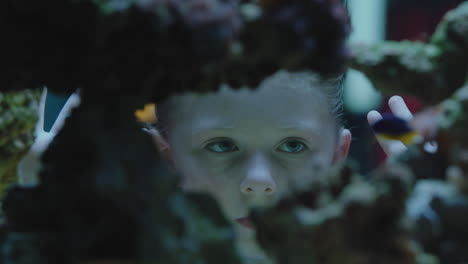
106,196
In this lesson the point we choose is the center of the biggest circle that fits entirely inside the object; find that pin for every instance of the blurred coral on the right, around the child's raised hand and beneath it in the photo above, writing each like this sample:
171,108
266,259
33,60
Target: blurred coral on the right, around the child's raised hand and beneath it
413,209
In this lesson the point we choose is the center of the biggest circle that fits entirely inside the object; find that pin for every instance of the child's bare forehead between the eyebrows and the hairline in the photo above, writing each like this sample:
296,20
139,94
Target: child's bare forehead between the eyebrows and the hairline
276,103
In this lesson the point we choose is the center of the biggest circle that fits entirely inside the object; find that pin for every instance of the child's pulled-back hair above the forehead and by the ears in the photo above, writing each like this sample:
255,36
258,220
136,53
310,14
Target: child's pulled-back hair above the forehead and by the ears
303,81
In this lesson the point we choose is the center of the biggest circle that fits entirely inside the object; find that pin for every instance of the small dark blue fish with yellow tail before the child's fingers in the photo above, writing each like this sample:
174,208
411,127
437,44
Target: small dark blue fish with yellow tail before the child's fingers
394,128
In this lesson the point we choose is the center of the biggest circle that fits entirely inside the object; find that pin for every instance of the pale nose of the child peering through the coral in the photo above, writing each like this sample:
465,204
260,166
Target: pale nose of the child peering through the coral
258,180
